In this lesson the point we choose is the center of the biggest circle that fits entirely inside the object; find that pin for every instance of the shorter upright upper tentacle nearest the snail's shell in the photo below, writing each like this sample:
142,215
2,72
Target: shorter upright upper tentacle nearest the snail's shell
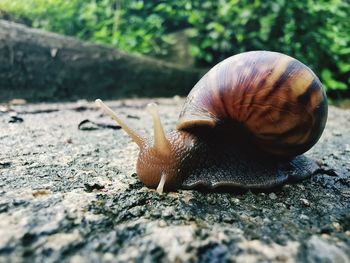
161,143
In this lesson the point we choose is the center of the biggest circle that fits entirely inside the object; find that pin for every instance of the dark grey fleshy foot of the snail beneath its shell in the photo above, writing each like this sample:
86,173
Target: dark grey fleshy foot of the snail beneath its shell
237,168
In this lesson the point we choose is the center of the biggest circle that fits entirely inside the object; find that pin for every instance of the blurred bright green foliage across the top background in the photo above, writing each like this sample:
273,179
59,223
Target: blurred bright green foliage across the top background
317,32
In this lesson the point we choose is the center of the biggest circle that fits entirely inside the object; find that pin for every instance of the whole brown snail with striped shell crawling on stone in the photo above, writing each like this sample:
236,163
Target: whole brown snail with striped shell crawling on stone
246,123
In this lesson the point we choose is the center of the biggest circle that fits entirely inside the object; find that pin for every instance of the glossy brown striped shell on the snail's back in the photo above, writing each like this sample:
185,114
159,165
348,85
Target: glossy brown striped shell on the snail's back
274,97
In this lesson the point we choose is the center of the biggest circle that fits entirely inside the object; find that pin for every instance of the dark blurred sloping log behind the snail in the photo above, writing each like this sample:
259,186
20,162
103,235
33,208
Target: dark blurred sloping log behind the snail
41,66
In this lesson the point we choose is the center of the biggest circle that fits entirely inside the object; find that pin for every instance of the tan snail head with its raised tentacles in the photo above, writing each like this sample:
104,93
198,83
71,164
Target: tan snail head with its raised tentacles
157,164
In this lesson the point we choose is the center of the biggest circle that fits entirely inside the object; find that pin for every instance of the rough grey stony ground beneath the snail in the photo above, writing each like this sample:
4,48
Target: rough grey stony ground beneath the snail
69,194
